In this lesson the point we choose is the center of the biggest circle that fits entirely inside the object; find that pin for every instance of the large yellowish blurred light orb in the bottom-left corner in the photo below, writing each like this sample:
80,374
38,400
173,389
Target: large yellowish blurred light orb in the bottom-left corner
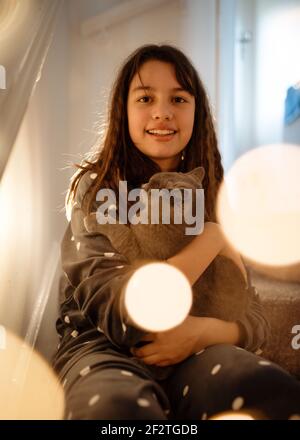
29,388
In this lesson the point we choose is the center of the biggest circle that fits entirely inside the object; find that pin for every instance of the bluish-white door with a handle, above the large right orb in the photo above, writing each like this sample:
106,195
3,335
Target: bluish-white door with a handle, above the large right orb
252,87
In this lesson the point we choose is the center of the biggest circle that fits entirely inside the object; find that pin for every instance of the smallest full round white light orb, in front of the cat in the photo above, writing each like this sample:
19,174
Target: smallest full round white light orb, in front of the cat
158,297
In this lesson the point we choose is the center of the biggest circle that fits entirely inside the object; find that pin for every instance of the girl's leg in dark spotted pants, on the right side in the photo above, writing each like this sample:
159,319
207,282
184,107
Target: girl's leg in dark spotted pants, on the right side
225,378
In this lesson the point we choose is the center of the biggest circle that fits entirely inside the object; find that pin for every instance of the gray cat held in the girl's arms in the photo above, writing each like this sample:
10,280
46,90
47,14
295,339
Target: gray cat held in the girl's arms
220,292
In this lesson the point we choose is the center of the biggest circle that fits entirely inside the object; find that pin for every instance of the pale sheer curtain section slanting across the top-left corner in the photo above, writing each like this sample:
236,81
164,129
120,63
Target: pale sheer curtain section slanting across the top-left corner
26,29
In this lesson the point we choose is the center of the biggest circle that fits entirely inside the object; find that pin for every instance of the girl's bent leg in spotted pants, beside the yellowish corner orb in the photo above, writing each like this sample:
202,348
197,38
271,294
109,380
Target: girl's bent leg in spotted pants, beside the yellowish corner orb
110,388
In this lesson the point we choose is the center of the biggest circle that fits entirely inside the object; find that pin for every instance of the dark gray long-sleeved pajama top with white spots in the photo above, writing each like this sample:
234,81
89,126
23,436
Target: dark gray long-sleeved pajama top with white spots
91,295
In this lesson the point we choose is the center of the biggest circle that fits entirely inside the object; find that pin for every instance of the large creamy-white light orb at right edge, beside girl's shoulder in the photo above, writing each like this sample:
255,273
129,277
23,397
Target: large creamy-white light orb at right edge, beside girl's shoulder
258,204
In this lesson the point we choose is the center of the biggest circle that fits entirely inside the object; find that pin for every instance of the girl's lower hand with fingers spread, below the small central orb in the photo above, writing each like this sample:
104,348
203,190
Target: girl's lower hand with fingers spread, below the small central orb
175,345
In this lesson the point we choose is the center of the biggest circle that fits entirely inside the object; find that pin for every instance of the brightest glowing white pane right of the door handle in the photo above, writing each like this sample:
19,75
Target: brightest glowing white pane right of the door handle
277,64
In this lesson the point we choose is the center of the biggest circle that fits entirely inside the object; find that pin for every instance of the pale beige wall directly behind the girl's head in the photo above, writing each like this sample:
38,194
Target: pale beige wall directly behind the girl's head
189,24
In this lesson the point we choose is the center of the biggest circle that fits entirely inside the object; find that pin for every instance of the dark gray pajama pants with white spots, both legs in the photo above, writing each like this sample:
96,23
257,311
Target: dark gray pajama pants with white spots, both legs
111,386
